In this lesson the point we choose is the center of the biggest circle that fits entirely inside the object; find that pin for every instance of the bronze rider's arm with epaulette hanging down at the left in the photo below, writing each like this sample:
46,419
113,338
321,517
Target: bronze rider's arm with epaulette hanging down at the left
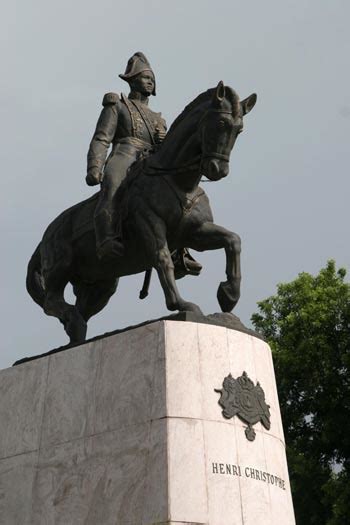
102,138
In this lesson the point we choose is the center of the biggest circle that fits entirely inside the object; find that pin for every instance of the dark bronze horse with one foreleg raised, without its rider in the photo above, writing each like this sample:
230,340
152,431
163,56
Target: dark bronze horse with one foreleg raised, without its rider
161,209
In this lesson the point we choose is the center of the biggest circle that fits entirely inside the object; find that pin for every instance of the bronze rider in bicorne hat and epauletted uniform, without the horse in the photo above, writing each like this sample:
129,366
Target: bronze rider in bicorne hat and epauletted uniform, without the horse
132,129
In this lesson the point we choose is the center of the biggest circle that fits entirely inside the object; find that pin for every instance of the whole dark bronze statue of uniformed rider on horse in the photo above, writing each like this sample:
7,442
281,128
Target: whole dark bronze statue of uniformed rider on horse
150,210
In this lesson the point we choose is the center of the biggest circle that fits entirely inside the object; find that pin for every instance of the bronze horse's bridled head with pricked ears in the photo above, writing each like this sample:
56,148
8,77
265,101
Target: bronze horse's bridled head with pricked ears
219,128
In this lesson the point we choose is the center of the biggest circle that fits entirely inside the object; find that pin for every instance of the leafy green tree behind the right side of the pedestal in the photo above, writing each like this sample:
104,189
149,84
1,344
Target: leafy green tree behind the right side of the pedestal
307,324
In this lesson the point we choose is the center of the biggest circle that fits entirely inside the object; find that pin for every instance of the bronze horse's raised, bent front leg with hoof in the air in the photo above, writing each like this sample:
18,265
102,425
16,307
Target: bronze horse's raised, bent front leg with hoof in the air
213,237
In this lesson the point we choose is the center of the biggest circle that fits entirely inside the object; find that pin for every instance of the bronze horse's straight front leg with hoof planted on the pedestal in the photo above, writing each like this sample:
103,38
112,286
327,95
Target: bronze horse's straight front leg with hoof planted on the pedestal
154,237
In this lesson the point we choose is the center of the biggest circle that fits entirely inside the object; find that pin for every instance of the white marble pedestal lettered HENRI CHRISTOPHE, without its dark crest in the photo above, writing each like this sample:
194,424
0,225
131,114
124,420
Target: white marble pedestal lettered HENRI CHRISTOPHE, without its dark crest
128,430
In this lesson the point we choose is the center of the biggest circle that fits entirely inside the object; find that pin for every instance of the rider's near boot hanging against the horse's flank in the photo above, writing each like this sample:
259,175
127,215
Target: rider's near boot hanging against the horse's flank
108,244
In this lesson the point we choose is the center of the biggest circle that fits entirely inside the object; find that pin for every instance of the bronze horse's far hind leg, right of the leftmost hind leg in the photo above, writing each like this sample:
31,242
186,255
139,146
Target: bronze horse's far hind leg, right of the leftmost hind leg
93,297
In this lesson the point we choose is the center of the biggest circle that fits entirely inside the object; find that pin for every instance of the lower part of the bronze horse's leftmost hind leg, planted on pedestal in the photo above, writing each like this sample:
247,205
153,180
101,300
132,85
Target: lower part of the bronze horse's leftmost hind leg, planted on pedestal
69,315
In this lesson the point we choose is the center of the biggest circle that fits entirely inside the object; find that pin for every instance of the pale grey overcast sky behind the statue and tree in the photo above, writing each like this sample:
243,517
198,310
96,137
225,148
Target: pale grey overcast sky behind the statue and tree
288,189
